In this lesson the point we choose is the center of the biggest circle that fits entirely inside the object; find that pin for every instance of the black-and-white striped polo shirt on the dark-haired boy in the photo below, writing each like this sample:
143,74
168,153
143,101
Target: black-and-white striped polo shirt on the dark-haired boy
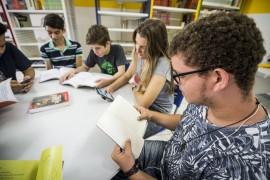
61,58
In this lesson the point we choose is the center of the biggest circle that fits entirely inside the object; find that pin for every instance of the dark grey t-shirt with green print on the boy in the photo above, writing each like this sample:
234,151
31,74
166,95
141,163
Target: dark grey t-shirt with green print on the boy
108,63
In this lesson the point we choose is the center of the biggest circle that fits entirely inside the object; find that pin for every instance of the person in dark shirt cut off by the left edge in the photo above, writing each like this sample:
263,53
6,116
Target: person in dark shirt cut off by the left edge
11,59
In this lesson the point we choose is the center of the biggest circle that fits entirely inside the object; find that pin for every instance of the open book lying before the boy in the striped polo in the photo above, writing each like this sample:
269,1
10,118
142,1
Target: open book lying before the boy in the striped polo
53,74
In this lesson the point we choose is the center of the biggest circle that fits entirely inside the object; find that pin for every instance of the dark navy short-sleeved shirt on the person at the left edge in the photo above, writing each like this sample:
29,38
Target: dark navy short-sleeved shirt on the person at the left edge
11,60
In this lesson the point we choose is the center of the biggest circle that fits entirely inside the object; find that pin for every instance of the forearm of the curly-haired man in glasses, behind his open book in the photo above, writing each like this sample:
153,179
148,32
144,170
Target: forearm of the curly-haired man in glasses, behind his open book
170,121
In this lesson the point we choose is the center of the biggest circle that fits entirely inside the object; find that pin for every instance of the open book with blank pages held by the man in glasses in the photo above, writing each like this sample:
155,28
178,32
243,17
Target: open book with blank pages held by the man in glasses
120,122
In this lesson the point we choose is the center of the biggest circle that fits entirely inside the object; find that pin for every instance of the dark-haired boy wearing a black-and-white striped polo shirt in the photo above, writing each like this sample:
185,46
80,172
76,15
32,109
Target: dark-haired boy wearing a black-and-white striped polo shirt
60,51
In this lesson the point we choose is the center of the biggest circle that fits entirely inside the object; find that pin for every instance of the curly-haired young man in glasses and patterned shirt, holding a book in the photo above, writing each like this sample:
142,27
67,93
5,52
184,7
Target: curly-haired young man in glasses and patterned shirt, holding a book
224,132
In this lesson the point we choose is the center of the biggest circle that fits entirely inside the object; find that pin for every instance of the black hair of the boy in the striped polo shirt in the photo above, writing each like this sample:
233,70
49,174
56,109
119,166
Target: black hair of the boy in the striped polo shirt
54,21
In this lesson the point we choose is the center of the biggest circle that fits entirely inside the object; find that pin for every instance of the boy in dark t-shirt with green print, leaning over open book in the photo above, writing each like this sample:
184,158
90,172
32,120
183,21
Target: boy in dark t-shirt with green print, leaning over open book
109,57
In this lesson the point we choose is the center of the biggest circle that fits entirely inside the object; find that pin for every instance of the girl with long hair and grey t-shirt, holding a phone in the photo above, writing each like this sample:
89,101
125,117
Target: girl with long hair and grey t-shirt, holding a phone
150,66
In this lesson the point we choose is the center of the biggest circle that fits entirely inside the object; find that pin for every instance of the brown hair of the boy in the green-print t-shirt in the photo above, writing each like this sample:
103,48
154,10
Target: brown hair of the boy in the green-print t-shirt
97,34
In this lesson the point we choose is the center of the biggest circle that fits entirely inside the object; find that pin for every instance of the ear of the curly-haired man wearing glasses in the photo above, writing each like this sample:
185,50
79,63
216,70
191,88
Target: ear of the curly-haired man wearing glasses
220,78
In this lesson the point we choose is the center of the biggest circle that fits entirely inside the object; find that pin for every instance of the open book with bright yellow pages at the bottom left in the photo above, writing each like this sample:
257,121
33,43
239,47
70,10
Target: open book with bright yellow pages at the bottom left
48,167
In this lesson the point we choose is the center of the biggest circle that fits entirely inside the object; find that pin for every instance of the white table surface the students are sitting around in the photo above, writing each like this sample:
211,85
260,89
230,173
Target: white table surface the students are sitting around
86,149
